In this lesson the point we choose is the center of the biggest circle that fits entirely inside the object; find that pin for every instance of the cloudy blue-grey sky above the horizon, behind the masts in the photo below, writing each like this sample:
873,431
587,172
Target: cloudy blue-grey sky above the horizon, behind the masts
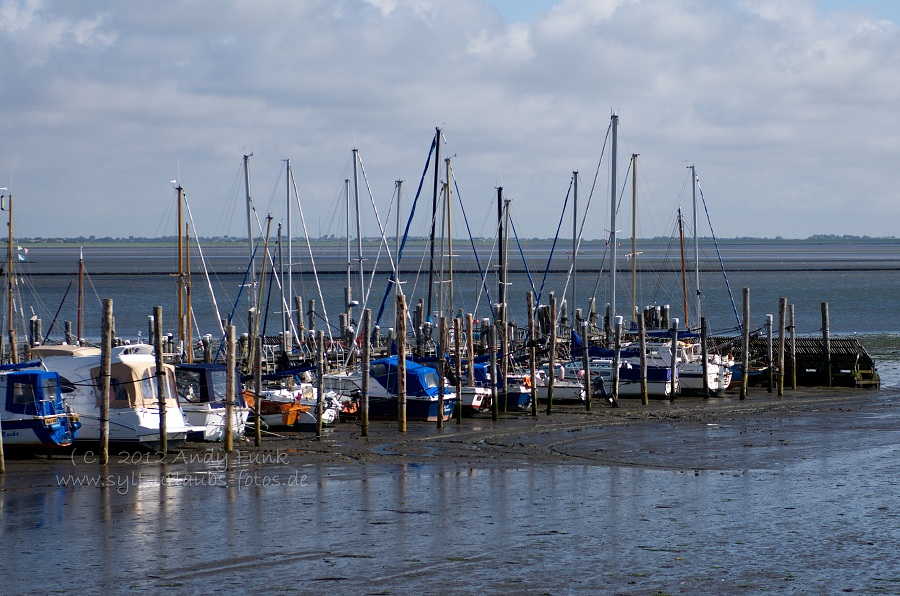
788,110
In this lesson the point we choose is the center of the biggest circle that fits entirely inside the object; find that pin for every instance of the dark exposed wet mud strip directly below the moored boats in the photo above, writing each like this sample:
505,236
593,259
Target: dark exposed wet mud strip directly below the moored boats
630,435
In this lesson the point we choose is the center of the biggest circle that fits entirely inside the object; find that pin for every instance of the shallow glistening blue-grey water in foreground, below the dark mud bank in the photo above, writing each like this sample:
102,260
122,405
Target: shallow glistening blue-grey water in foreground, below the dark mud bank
805,504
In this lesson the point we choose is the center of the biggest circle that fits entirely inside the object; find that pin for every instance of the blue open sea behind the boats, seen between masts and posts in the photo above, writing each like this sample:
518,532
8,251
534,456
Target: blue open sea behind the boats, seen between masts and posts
860,283
